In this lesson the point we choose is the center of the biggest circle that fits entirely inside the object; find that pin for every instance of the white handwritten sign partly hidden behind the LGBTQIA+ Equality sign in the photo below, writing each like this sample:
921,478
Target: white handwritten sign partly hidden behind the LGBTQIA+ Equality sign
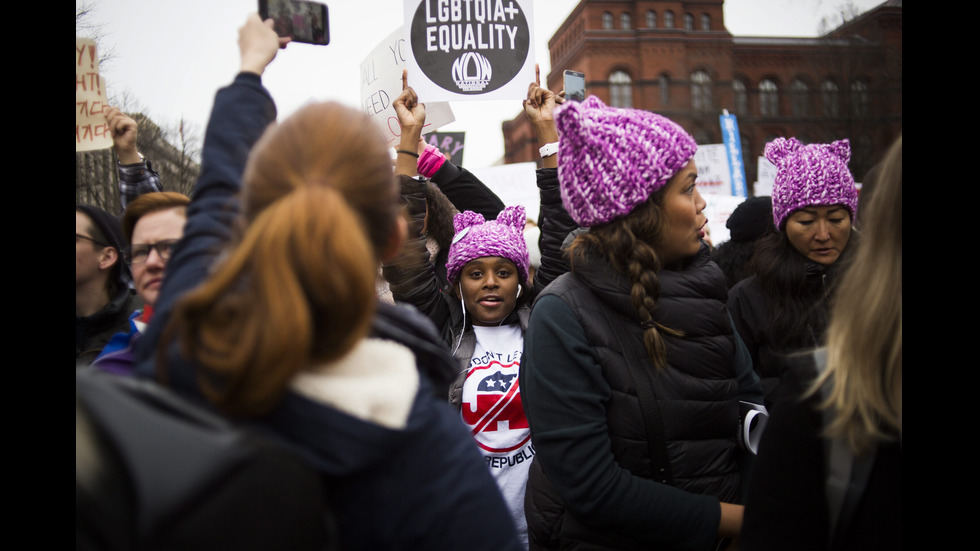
381,83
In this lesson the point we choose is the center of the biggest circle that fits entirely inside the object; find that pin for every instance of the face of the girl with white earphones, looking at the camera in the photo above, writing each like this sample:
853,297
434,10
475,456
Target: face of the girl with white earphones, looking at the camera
488,286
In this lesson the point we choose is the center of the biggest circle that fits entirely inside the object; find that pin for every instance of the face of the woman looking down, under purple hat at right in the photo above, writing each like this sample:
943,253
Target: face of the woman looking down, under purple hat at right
820,233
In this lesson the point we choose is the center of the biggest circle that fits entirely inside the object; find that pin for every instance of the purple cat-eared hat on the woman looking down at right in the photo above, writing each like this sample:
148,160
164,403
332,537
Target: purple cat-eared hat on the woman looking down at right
808,175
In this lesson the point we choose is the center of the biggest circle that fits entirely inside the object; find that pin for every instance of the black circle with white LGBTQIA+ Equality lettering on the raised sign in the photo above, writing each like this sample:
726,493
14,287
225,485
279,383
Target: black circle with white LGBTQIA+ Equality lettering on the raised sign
470,46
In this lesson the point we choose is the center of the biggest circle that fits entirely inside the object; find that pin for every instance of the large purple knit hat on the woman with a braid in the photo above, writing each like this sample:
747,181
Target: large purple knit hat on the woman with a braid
610,160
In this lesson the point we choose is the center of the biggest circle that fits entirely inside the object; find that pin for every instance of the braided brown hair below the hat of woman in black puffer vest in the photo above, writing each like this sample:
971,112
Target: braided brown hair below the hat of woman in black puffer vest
630,244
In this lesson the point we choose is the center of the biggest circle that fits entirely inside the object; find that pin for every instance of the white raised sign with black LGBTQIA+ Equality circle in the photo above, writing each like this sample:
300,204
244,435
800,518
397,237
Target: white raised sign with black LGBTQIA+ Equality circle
470,49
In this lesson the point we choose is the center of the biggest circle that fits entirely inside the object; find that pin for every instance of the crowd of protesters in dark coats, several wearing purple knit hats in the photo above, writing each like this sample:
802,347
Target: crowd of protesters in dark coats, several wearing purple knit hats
596,399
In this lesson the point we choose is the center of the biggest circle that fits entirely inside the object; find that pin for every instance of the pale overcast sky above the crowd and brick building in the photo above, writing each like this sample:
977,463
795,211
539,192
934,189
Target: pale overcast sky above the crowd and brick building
171,56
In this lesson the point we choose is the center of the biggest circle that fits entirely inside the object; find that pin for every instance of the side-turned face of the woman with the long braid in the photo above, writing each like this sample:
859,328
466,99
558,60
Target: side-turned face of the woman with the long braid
683,212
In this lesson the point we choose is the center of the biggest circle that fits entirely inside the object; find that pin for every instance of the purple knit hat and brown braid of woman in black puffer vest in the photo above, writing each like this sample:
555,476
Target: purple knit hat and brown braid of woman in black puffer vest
614,165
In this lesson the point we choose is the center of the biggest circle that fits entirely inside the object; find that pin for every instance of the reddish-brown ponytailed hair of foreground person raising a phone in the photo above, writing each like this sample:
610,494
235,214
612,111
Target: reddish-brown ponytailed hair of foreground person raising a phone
297,289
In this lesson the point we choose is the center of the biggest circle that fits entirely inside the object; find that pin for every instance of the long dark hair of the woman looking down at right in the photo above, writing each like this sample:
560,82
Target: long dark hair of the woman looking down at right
797,292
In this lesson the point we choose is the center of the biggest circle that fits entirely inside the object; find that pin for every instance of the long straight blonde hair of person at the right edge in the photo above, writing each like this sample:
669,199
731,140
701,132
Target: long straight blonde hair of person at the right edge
864,339
